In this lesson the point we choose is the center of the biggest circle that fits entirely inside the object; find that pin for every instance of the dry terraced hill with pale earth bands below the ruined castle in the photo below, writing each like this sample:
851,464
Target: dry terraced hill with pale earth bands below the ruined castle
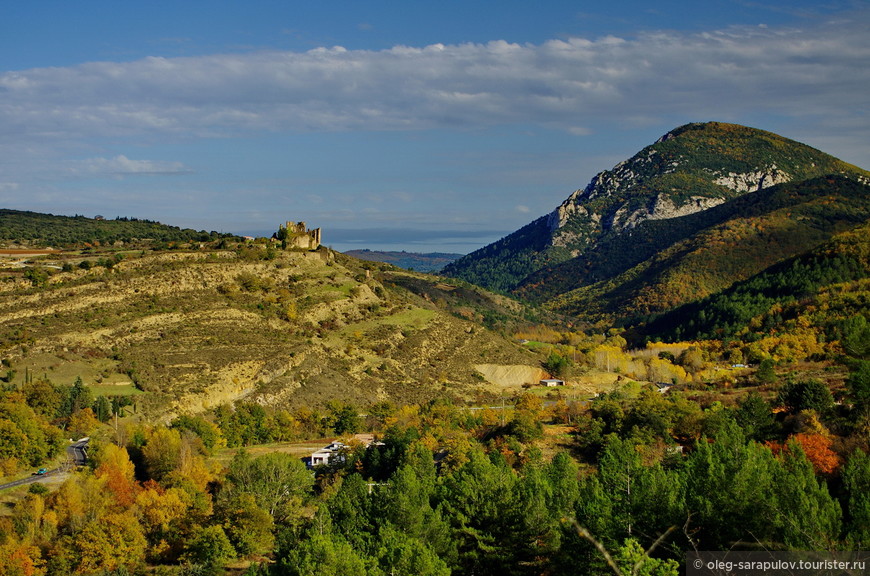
196,328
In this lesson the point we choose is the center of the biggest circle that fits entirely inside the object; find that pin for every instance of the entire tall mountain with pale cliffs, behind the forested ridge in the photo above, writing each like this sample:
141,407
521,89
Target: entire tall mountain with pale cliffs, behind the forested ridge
690,170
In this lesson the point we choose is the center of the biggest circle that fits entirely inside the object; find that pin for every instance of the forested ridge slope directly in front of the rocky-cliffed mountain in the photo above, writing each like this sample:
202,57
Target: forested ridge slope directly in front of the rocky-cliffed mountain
680,262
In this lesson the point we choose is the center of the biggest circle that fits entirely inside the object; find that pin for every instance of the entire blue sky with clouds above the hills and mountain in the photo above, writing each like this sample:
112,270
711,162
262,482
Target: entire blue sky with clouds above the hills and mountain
424,126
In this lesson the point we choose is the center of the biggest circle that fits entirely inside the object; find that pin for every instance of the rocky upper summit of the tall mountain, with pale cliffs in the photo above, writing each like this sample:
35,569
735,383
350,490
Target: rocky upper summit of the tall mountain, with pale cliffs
691,168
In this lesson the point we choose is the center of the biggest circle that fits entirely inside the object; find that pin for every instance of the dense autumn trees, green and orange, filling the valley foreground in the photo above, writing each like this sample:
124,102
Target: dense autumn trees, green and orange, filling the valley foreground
449,490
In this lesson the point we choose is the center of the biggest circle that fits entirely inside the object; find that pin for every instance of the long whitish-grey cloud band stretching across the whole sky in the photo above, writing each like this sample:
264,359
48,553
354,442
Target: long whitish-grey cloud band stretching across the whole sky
575,83
